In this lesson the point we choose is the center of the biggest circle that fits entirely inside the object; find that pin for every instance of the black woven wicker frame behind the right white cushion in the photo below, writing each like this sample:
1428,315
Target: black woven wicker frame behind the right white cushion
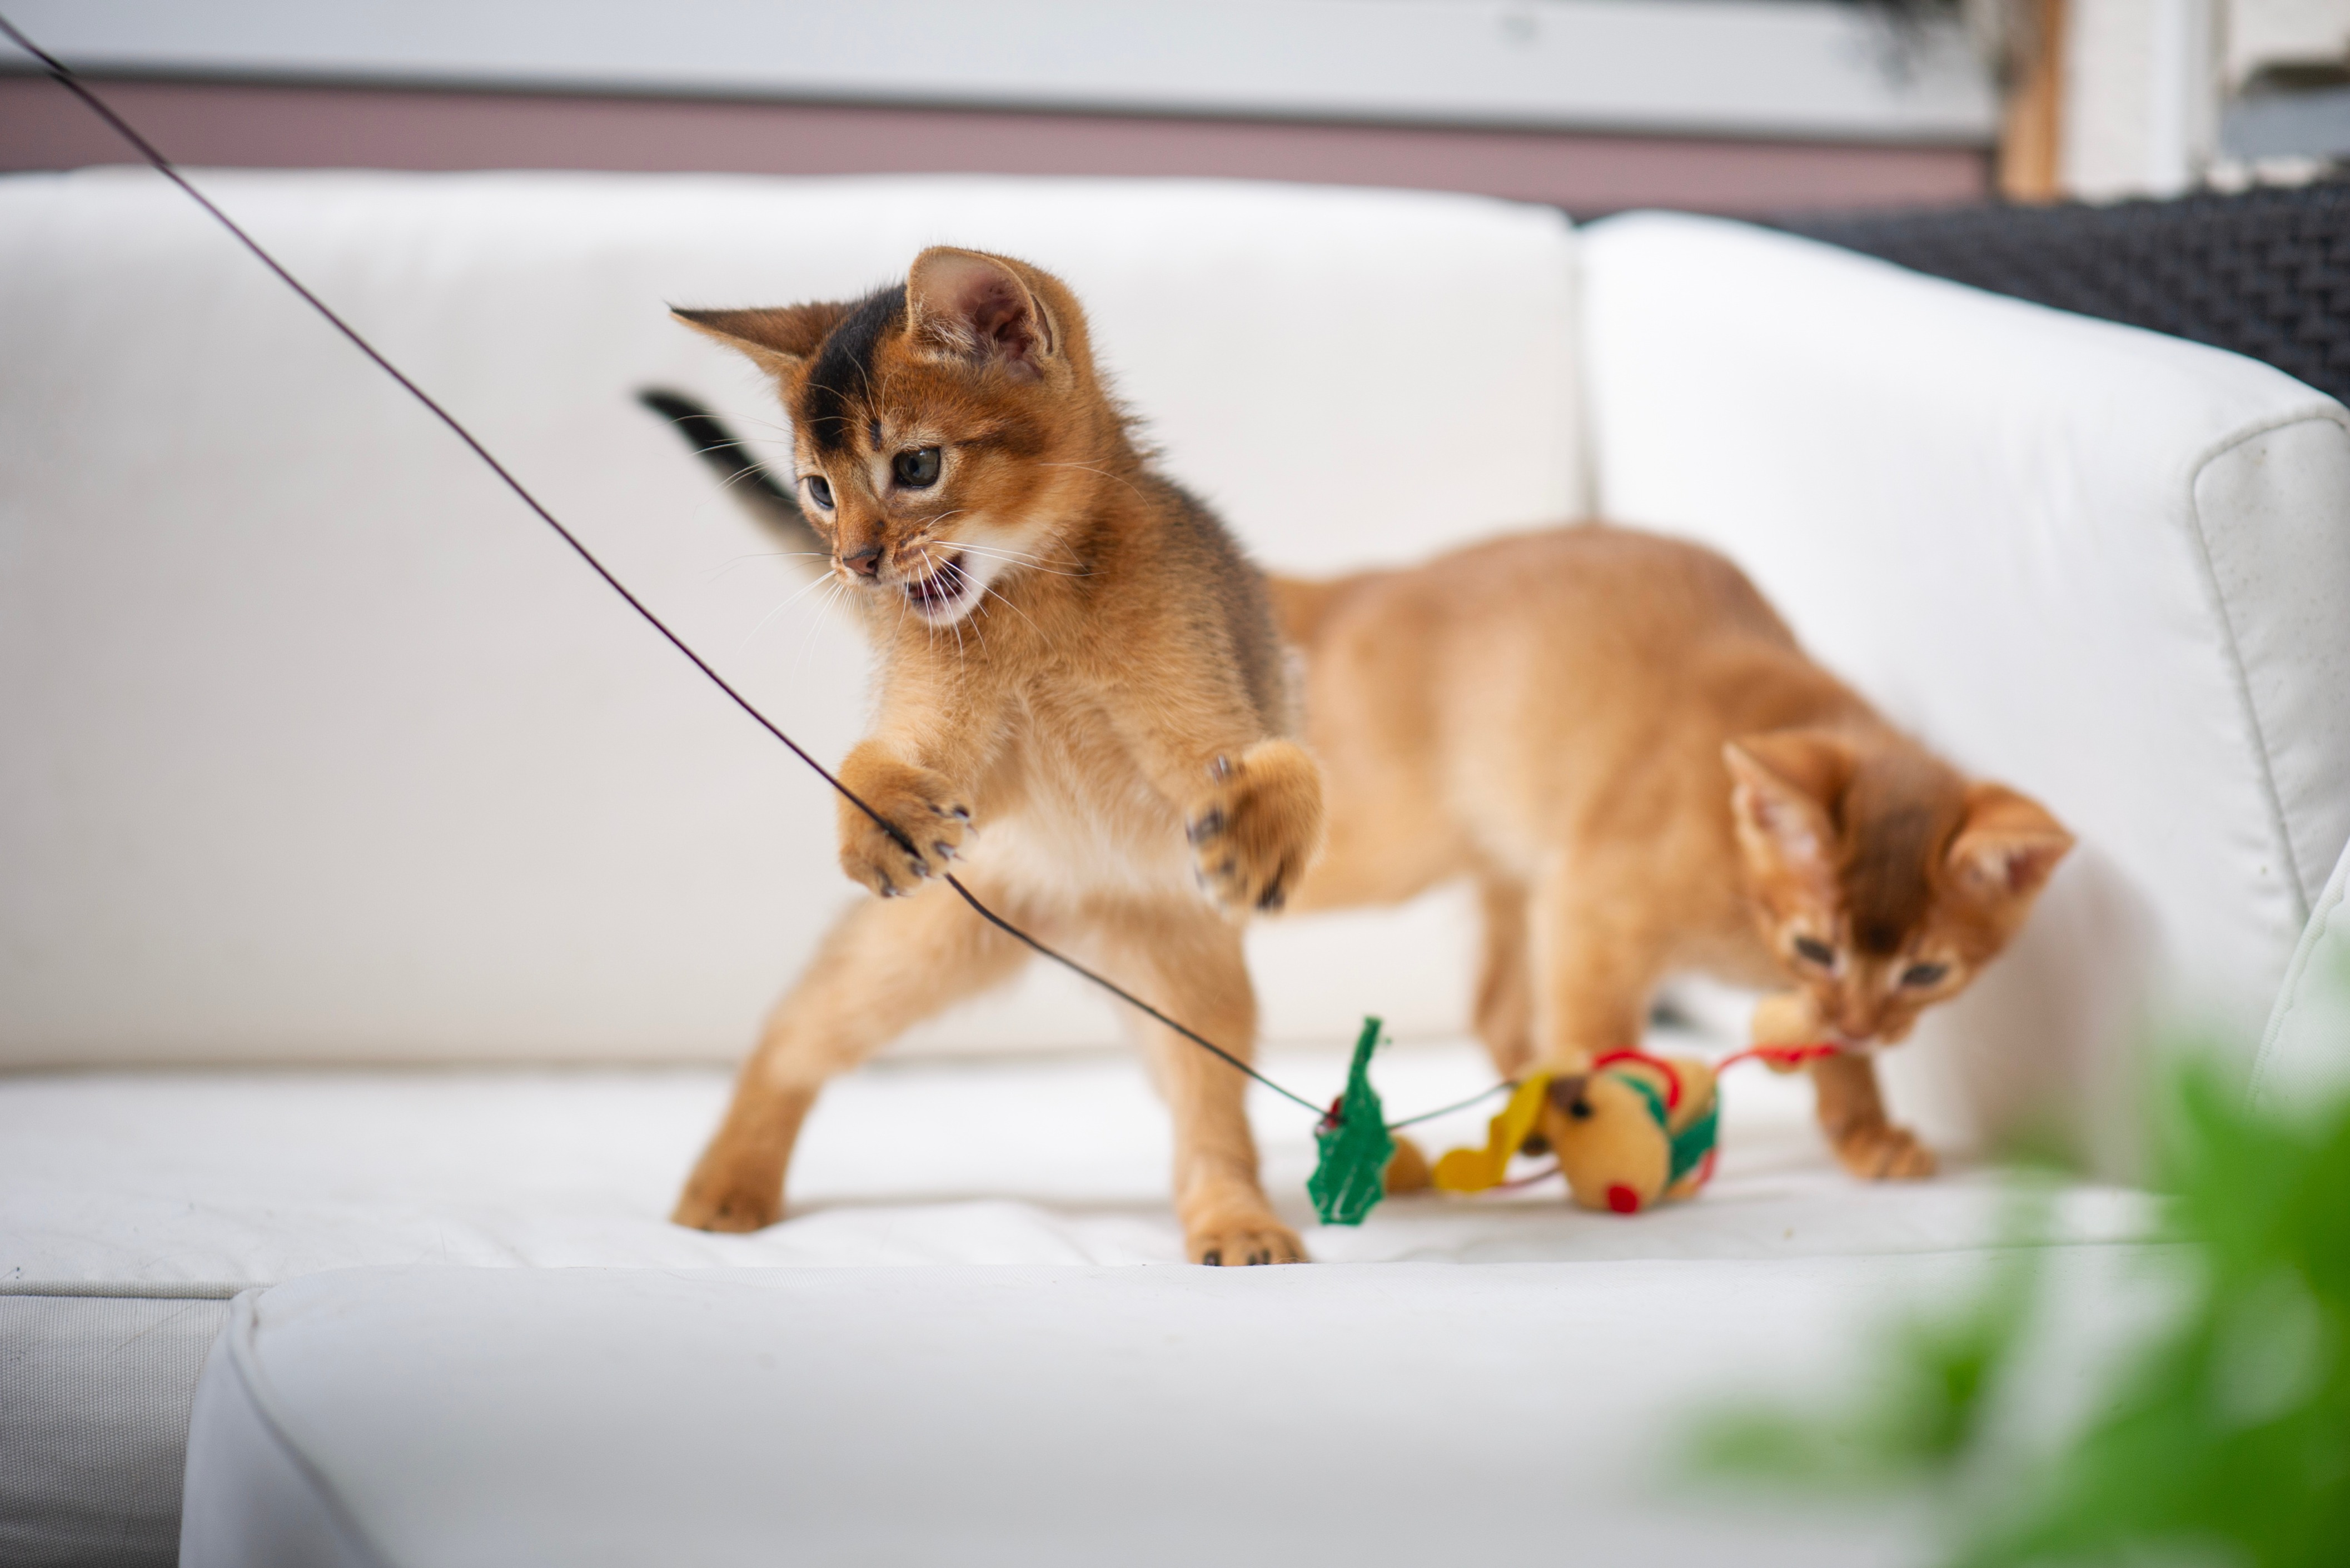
2264,274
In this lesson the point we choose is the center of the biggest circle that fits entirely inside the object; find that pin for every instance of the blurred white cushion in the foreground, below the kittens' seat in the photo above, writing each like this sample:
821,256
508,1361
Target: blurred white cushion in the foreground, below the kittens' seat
1047,1416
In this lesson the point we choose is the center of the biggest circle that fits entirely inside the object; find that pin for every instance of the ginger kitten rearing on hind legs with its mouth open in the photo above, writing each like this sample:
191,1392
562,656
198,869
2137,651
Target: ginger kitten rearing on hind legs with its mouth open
1082,704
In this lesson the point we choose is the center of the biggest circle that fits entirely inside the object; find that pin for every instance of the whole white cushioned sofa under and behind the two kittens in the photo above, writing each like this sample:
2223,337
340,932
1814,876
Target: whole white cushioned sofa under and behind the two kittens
384,904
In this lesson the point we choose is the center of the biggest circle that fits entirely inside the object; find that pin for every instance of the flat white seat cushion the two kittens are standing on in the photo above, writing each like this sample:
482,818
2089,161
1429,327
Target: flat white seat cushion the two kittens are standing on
264,1177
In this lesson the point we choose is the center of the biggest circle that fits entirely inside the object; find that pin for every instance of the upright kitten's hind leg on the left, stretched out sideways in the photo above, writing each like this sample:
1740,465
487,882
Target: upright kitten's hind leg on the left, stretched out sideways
885,967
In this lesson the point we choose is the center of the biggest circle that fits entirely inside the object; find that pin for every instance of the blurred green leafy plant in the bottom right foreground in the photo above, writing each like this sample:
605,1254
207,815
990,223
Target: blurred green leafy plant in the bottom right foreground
2224,1438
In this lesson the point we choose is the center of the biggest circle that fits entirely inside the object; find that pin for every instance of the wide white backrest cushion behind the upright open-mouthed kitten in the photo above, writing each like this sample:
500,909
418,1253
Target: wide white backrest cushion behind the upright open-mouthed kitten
321,746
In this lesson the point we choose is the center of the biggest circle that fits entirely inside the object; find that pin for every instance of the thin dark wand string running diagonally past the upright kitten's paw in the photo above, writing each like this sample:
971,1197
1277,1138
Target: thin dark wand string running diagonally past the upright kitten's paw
163,166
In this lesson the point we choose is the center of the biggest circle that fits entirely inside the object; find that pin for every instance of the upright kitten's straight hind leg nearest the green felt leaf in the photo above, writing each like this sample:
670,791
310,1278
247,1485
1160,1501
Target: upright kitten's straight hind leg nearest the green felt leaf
1188,963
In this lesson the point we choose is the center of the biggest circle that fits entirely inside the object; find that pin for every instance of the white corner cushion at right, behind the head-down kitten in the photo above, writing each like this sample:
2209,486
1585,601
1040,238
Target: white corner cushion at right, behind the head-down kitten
2104,565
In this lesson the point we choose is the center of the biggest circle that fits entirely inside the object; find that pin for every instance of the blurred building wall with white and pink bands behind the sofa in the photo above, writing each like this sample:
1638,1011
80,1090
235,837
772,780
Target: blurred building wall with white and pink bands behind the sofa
1735,107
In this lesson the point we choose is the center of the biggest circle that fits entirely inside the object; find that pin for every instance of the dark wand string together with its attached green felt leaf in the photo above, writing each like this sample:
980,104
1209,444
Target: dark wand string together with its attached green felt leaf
1352,1137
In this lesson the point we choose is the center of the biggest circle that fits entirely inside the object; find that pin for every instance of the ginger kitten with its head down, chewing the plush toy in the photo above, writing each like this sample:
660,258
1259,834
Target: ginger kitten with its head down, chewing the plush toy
1623,744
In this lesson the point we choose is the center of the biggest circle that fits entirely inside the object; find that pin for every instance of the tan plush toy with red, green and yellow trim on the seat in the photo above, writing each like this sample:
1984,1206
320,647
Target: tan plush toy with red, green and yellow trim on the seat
1630,1134
